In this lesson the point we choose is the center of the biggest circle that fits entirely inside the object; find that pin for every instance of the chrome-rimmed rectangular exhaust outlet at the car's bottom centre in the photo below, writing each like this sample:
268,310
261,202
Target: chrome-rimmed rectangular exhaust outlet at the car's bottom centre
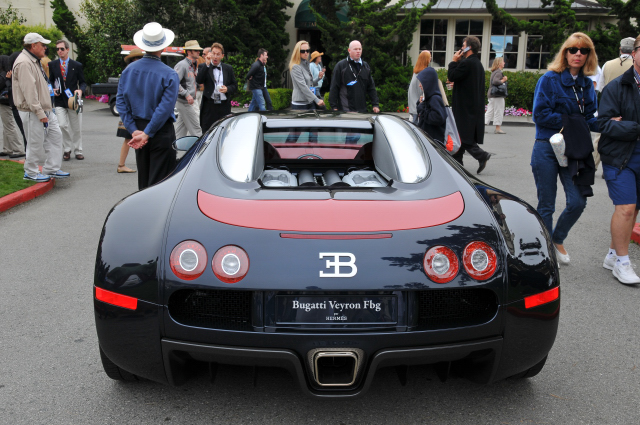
336,367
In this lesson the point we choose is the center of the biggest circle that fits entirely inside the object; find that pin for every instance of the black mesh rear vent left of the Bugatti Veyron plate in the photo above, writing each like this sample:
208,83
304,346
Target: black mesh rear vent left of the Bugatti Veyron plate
212,308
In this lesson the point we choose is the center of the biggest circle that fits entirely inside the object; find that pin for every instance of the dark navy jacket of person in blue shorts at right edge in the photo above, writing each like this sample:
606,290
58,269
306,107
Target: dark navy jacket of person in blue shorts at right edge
620,98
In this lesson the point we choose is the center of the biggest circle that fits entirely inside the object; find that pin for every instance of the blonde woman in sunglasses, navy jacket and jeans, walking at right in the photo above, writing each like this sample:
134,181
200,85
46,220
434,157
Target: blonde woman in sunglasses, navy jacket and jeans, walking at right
564,90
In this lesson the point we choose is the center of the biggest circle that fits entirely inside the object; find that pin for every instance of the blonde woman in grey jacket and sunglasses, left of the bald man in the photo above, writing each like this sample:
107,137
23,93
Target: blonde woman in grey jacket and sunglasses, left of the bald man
303,97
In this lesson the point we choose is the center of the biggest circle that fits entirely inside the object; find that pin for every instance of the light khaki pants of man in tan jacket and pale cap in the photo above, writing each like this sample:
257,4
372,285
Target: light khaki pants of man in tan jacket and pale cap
44,145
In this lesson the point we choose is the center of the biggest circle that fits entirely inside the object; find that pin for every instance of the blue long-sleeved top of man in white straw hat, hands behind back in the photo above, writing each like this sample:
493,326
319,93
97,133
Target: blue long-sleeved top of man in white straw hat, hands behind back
147,90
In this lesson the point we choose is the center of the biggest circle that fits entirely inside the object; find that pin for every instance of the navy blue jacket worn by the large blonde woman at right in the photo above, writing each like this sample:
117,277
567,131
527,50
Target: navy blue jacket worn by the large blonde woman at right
554,97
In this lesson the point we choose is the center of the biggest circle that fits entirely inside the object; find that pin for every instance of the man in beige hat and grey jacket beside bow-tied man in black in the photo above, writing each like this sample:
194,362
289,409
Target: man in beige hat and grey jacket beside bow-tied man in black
188,121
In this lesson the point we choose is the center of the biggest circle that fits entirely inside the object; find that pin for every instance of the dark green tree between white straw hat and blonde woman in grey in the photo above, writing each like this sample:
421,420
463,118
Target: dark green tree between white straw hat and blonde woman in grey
241,26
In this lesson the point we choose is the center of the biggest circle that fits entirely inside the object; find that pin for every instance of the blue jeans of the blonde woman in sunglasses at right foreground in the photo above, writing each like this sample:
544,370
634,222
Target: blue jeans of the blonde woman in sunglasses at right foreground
546,171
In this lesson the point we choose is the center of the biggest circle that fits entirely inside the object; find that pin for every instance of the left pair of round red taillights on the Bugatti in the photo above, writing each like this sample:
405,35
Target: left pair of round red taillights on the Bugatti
188,261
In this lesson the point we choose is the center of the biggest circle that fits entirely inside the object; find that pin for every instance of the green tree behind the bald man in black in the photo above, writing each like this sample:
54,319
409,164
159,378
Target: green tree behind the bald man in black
385,36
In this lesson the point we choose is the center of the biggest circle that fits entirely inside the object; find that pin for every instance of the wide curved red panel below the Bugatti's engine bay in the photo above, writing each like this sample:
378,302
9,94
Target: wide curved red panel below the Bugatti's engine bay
330,215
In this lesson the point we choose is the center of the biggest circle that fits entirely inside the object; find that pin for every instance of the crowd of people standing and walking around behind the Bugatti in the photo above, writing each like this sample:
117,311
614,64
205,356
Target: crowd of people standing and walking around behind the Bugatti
46,109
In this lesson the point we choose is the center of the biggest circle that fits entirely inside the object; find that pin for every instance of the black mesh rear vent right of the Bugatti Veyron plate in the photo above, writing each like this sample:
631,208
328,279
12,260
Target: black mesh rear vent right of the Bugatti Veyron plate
452,308
